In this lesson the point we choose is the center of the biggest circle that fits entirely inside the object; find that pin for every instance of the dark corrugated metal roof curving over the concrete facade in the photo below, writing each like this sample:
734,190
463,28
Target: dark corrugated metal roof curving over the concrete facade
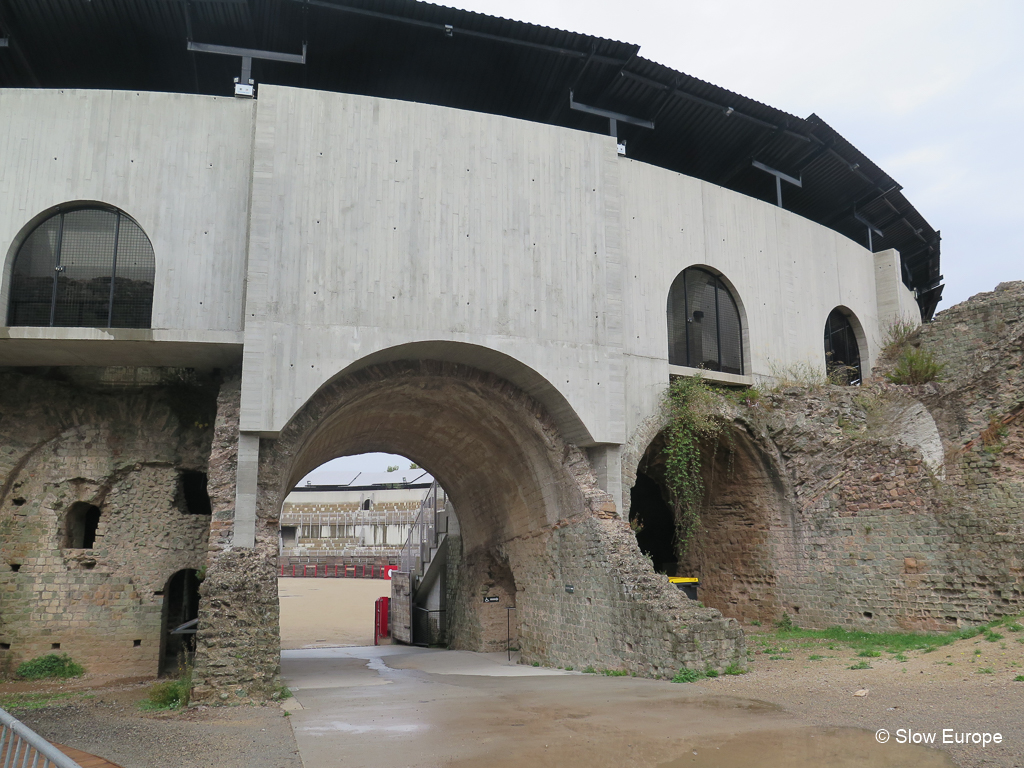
418,52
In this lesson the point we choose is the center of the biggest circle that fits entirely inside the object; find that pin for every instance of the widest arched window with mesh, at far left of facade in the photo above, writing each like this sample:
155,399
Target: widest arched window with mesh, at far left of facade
83,268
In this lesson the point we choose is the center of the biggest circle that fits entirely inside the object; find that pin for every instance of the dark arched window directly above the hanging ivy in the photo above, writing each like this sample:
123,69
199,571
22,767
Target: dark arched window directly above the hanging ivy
704,324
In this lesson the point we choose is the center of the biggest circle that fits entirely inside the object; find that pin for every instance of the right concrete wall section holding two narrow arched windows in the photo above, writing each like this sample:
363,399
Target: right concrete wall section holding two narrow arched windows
787,273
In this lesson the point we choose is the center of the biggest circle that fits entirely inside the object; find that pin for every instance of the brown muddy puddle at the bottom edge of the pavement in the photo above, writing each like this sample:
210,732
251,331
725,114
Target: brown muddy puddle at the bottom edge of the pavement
809,748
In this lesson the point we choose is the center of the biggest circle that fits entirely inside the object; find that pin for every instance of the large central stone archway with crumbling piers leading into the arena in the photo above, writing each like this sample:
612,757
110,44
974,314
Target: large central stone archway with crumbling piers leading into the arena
535,527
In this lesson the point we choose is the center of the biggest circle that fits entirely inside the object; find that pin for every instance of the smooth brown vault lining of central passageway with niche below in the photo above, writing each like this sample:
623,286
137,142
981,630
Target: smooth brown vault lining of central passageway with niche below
508,475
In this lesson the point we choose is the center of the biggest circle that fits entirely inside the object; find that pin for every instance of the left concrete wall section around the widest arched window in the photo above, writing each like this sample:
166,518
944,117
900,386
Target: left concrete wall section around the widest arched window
180,165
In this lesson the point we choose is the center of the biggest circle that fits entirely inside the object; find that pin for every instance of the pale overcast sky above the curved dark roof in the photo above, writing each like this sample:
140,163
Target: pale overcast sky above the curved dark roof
931,92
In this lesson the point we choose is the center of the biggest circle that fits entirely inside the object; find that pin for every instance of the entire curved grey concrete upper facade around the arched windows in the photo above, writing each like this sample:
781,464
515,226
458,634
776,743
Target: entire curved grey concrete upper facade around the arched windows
317,234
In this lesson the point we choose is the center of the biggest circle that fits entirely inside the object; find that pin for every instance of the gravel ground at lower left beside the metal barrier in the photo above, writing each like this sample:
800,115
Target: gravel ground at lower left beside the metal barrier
108,722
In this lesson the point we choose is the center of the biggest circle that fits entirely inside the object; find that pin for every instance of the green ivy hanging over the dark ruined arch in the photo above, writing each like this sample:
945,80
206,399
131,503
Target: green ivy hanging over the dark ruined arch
693,419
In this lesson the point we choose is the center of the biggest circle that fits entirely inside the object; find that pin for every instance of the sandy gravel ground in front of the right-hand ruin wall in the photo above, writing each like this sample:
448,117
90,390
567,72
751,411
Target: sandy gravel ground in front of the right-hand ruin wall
967,687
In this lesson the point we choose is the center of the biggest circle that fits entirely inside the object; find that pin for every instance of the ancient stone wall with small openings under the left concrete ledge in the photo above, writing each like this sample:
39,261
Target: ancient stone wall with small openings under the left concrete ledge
95,518
